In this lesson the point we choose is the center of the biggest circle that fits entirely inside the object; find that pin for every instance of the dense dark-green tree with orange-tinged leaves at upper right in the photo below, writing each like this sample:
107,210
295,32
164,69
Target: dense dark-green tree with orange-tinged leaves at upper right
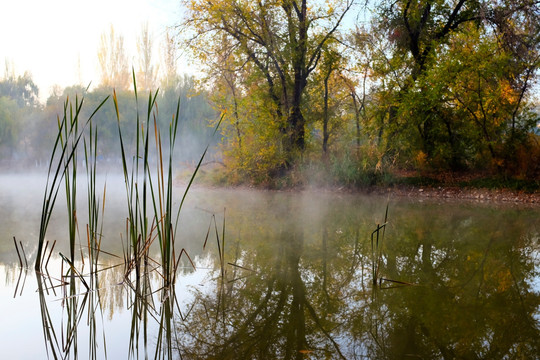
421,103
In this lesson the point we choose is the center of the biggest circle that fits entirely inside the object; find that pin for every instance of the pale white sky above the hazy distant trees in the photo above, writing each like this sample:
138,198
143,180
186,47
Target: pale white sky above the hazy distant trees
50,38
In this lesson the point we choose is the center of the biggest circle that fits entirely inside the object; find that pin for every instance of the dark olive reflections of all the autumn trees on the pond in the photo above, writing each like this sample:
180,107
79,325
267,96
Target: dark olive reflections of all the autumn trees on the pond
303,291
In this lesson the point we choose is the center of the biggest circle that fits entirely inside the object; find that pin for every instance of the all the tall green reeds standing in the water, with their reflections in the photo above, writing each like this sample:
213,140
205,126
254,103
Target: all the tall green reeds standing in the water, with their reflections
152,215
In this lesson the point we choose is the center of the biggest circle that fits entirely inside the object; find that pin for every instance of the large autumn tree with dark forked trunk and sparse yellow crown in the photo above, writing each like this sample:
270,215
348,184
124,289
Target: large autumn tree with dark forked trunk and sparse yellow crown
281,42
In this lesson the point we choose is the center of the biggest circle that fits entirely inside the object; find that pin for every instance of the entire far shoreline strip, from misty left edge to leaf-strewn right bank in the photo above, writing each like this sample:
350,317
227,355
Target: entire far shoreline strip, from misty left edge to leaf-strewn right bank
467,185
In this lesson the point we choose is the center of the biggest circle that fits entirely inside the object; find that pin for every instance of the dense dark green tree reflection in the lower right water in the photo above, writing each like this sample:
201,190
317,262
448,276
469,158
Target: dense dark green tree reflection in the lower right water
473,300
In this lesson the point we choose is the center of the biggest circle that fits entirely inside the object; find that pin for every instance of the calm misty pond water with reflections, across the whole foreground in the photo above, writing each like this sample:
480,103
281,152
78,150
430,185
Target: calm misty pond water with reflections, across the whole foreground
454,280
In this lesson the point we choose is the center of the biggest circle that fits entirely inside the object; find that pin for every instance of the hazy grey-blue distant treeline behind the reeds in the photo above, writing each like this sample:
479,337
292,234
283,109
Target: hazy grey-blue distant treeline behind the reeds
28,128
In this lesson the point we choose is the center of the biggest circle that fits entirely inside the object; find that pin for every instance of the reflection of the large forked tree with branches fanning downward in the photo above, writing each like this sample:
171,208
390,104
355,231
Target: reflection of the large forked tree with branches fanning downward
264,305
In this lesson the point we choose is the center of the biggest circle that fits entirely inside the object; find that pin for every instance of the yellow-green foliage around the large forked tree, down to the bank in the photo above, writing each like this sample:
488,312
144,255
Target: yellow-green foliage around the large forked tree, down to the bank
264,51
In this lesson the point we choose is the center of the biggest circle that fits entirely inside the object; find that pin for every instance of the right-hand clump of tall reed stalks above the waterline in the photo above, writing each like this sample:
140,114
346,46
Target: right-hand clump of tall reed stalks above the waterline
157,186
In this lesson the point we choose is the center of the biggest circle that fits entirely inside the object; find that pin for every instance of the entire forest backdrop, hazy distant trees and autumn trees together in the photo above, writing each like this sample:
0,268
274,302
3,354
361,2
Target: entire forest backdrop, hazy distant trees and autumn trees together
330,92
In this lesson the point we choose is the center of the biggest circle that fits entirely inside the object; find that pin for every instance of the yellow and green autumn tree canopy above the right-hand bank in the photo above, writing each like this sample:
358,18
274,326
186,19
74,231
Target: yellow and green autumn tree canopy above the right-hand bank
439,84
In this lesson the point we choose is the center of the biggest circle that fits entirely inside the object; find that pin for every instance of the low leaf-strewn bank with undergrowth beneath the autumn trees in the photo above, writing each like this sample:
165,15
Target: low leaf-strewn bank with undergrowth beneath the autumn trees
473,186
